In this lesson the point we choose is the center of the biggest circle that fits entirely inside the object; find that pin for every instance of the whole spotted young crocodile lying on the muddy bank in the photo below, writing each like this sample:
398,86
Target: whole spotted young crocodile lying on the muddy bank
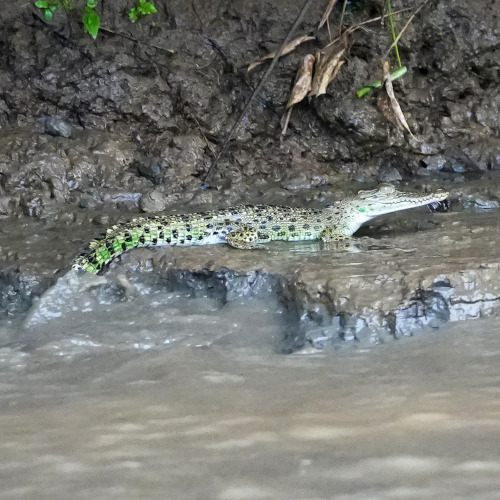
246,227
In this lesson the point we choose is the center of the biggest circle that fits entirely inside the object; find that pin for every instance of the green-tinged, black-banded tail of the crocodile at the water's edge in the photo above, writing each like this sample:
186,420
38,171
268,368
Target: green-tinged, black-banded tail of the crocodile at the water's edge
116,241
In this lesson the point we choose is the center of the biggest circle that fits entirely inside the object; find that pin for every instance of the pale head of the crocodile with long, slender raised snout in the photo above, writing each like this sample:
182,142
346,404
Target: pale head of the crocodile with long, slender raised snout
386,199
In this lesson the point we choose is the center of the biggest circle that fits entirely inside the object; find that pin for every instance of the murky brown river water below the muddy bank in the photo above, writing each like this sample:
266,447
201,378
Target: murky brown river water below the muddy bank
156,395
